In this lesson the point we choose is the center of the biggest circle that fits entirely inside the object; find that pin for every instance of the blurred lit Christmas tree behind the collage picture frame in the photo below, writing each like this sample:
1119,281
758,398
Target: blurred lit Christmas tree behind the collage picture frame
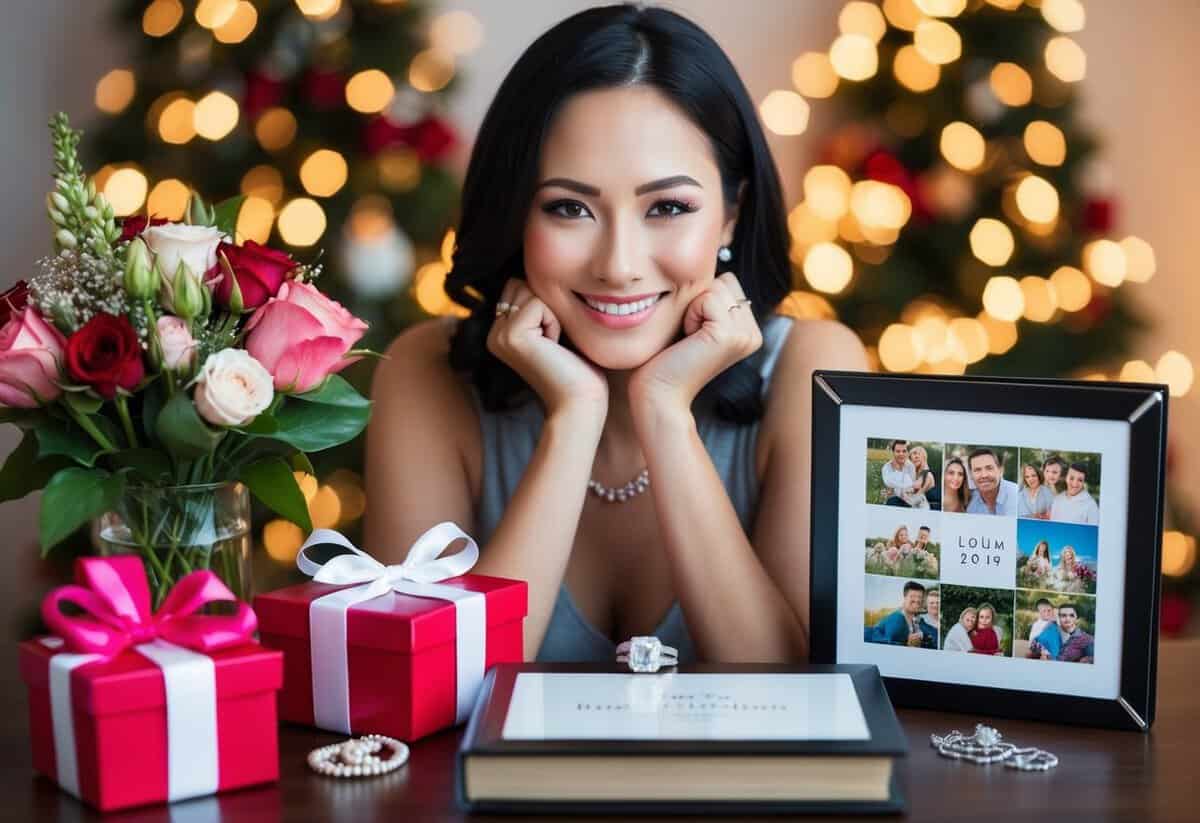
958,217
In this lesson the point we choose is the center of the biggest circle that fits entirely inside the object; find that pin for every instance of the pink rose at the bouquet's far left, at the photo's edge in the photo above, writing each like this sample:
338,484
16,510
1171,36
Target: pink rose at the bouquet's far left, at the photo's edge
31,353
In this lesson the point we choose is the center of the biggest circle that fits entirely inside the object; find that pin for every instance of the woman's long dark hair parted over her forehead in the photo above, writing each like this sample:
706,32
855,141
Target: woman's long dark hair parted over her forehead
599,49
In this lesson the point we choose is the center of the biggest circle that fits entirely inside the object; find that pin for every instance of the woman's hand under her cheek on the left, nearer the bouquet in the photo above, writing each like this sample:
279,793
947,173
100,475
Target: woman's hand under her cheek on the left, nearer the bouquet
526,338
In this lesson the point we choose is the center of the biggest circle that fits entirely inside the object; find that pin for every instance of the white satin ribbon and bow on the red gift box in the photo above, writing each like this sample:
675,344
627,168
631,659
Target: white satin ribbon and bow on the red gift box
418,576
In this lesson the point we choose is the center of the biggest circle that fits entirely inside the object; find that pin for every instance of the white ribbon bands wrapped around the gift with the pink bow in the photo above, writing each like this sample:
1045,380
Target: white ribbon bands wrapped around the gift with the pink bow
191,690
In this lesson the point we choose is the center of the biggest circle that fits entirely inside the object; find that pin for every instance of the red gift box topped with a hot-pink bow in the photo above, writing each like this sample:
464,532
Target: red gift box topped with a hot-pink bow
130,707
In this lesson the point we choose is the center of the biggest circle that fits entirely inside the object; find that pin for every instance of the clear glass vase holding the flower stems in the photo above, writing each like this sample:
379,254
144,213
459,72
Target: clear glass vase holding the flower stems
178,530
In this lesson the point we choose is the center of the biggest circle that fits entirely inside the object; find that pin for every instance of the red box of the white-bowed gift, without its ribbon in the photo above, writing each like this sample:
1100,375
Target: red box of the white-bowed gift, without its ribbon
401,652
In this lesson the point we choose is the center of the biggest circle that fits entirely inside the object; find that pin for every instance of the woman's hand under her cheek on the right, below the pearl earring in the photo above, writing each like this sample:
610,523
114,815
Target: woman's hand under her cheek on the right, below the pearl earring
719,331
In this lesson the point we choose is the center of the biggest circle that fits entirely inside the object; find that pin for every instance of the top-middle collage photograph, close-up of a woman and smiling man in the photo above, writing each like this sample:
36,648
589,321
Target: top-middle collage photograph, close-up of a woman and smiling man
981,480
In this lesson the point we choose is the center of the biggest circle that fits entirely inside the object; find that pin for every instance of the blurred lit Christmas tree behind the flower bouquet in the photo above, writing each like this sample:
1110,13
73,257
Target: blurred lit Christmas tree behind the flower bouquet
327,116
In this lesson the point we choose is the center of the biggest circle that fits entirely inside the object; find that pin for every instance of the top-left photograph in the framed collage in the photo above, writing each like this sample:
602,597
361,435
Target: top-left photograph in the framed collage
904,474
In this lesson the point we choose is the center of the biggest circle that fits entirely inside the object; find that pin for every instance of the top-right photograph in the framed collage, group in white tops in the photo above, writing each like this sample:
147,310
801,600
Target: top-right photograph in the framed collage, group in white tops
1063,486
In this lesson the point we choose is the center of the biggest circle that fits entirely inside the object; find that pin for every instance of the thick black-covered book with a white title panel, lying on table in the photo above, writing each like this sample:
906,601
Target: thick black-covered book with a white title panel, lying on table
571,738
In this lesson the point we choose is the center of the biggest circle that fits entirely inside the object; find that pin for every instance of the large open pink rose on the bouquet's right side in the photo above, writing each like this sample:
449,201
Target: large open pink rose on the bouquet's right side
302,338
